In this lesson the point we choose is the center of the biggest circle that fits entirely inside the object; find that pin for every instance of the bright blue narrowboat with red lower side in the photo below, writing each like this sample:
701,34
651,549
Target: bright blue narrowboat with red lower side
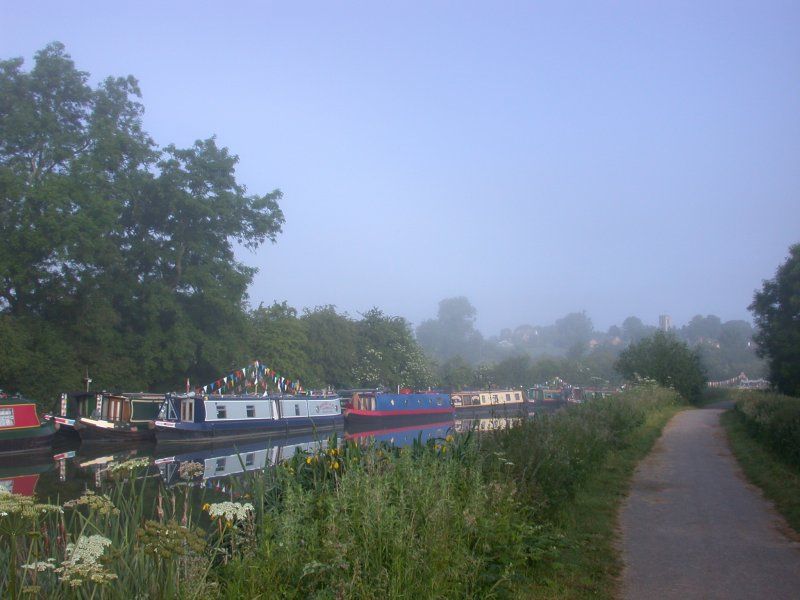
368,408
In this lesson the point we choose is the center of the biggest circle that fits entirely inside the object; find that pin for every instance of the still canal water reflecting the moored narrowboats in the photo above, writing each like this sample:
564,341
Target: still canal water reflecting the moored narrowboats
72,467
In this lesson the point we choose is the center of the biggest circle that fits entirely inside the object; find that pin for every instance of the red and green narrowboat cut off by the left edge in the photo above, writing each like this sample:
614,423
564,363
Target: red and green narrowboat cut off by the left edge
20,427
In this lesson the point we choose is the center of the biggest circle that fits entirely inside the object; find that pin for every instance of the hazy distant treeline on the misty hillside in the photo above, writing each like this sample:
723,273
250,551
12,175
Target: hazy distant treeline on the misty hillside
451,339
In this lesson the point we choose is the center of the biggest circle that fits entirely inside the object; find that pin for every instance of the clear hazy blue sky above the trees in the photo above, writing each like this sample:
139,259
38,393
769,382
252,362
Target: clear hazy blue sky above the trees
622,158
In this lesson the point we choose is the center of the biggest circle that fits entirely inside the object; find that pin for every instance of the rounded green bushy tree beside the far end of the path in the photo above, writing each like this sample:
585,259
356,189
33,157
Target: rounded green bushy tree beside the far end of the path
666,360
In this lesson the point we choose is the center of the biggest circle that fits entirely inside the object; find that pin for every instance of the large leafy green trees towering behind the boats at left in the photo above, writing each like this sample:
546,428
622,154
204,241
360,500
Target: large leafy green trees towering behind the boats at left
116,252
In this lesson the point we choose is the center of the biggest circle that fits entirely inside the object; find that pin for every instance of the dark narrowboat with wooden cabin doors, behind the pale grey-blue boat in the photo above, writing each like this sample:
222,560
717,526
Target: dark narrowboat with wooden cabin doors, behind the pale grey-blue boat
121,418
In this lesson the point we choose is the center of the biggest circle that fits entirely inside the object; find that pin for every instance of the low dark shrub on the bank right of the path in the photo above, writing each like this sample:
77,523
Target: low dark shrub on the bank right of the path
773,419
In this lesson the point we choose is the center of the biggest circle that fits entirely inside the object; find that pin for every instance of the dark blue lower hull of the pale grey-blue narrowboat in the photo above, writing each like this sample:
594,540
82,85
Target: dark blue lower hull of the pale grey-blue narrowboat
210,433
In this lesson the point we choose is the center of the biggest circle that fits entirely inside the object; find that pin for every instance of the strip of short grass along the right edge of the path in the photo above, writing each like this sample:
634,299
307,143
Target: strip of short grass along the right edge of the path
779,480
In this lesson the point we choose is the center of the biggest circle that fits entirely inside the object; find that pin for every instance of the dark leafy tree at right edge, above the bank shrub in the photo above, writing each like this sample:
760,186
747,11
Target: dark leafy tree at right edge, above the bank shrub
776,309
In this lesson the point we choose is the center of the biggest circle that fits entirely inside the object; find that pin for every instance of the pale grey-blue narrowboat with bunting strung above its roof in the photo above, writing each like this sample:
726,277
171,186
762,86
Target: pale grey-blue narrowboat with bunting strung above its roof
205,418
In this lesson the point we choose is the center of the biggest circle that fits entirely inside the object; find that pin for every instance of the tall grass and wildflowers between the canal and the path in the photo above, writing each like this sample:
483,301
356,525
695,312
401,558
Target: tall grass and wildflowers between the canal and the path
467,516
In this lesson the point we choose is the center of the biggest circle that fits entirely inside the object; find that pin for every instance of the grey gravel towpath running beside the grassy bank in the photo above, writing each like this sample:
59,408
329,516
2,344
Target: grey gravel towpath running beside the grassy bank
692,526
